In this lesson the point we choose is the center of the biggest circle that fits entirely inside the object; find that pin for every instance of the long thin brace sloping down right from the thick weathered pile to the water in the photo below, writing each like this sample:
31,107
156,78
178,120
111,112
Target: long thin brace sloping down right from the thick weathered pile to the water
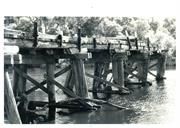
107,82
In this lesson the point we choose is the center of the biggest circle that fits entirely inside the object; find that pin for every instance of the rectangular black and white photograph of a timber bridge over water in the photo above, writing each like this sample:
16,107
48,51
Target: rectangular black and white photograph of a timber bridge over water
89,69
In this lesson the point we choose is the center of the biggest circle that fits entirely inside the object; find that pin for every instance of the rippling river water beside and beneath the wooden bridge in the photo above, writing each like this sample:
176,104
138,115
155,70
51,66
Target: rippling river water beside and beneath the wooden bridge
152,104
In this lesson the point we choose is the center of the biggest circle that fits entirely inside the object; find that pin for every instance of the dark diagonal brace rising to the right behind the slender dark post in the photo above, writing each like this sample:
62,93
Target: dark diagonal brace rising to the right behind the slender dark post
64,70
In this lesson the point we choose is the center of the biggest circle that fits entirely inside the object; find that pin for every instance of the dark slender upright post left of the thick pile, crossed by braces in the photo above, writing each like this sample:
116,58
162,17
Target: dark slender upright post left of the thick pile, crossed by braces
51,88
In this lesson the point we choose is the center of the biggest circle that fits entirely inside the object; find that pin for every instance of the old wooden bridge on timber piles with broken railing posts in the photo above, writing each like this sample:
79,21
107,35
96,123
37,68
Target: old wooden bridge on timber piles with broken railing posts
114,66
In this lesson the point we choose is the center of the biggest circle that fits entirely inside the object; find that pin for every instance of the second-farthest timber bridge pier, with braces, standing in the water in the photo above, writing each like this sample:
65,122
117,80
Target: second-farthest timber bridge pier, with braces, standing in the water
137,67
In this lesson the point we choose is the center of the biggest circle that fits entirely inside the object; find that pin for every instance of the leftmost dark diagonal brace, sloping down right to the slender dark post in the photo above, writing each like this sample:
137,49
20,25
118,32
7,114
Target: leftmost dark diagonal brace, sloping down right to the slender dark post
31,80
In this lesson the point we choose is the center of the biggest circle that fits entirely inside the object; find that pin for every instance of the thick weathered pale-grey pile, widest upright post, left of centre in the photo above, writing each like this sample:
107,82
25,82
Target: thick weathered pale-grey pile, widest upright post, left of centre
79,77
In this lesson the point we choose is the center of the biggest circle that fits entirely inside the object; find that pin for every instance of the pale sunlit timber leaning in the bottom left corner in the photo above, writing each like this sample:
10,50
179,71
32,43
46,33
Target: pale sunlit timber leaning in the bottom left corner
9,101
